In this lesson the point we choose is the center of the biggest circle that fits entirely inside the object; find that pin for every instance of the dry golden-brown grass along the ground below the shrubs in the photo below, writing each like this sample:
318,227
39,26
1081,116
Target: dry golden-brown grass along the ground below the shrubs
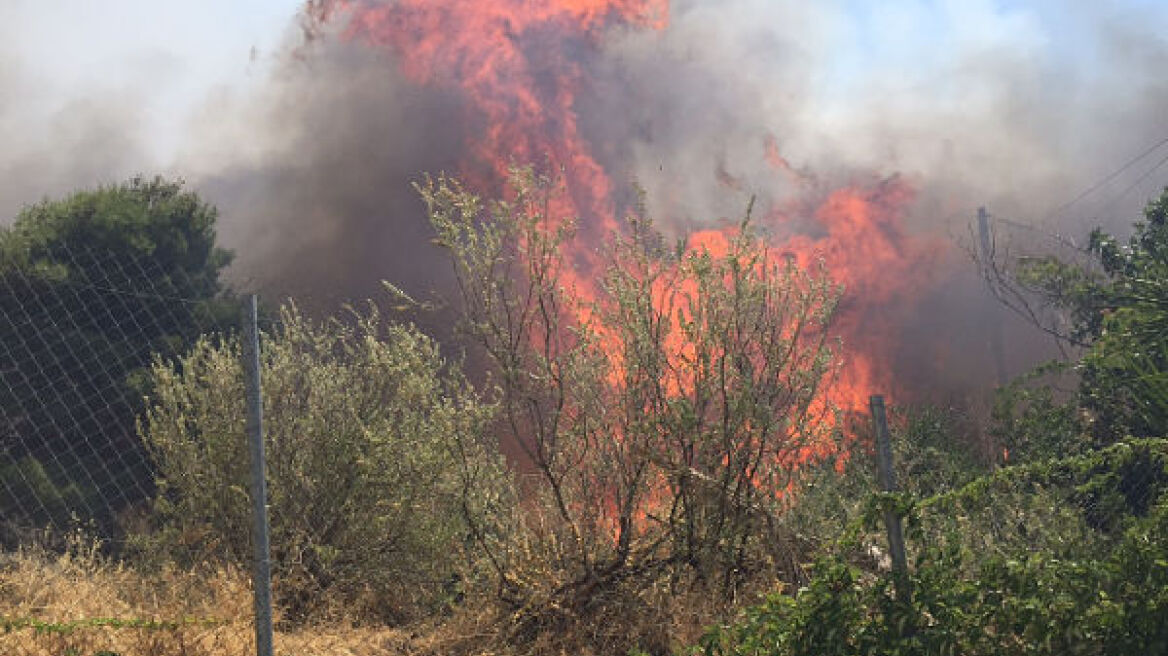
82,605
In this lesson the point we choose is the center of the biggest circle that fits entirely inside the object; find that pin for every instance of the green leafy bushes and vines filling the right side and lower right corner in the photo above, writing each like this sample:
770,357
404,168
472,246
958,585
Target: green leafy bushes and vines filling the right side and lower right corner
1067,554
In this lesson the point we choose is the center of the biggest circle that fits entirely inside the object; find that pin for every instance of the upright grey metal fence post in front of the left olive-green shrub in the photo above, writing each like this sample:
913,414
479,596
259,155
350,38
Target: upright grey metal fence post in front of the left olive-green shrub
262,575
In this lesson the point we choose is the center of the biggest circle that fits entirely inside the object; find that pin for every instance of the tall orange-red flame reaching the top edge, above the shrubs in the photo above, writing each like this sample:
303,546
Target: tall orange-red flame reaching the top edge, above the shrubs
523,103
